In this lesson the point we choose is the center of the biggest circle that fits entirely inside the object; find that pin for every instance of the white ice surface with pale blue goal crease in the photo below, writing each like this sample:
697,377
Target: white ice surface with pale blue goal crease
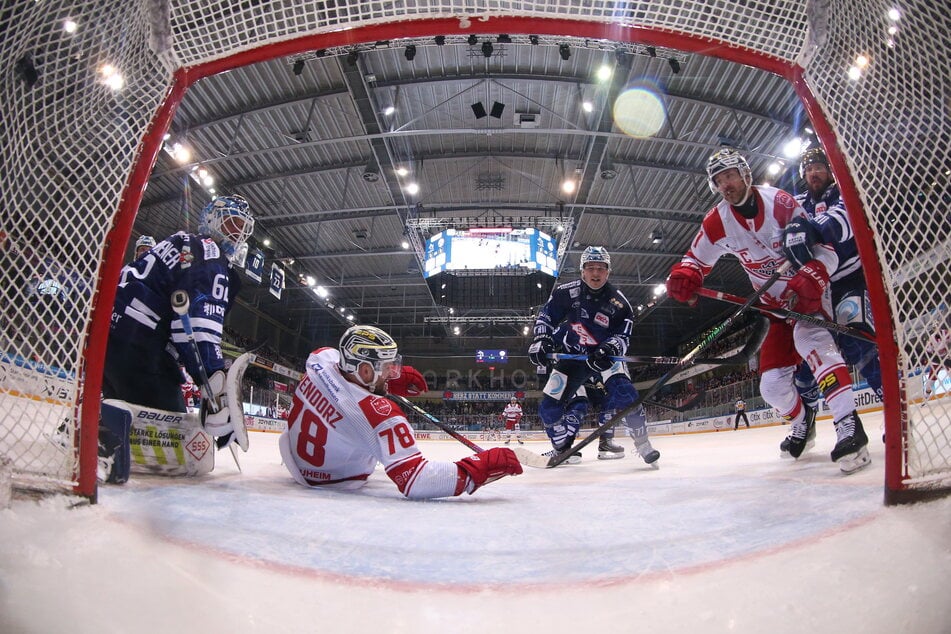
724,537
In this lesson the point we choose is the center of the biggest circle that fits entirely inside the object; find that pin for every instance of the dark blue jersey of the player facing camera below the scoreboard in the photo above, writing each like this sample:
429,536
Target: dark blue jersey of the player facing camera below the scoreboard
590,318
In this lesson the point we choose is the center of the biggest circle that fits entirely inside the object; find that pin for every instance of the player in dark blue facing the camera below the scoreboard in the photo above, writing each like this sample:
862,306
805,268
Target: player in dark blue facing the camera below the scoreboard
588,316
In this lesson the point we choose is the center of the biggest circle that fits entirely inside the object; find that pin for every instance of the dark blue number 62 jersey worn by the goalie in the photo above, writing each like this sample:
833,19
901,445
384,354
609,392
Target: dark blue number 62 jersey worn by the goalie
143,315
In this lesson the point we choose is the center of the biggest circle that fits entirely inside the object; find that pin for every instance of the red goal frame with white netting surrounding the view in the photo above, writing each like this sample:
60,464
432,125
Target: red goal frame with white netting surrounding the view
90,89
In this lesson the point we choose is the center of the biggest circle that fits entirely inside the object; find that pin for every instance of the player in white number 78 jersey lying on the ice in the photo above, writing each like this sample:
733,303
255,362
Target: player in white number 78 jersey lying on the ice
340,426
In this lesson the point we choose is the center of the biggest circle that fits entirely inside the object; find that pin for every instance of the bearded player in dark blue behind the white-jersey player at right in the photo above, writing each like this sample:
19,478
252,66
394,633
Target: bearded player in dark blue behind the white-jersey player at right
829,224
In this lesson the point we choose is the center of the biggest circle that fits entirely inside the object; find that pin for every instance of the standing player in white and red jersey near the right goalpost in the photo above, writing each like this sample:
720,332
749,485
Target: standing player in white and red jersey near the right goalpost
748,223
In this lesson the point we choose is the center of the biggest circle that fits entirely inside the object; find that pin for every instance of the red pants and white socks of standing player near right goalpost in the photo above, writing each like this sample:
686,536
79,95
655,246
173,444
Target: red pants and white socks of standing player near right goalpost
781,352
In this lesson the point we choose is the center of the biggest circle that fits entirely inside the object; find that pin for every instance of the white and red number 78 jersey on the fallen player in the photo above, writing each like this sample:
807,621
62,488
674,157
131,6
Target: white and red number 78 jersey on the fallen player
337,432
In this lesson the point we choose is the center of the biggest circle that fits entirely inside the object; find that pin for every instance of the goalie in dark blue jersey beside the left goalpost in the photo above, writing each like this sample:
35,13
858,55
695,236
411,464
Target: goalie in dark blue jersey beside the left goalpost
141,384
